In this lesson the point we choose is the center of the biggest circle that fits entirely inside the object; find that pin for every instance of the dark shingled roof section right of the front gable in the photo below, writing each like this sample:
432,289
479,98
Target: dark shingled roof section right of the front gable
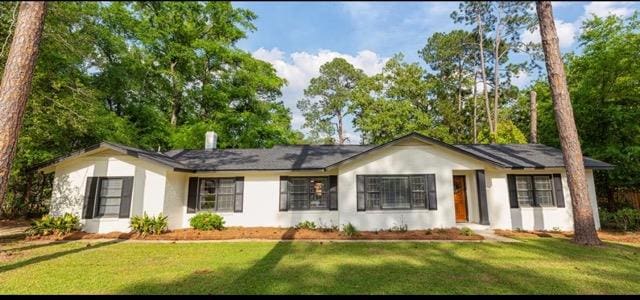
526,155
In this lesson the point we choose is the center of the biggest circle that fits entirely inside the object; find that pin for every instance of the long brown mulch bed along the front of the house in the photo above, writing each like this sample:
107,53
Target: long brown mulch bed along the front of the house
271,233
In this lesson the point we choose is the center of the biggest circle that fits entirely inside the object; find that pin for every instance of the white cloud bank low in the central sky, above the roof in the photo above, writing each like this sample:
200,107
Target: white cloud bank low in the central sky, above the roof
299,67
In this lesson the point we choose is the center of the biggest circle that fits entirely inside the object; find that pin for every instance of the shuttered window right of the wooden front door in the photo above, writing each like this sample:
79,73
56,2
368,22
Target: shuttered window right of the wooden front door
534,190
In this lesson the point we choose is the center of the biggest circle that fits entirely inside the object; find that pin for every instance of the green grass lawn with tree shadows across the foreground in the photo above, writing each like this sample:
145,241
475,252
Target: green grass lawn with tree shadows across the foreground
544,265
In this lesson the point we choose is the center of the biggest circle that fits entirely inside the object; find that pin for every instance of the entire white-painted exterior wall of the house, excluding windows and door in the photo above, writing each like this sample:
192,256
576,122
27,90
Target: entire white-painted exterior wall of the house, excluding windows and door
158,189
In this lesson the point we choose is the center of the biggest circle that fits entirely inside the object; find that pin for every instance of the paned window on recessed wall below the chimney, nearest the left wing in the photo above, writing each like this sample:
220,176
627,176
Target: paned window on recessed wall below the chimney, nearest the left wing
216,194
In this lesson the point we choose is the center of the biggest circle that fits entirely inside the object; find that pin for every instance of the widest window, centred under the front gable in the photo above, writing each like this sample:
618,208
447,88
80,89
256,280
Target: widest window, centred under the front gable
395,192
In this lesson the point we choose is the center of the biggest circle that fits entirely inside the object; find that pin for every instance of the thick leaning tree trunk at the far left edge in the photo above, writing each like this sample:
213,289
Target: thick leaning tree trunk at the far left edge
16,83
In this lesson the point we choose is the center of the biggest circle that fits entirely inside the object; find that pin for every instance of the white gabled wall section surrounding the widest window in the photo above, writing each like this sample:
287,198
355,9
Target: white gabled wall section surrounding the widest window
403,159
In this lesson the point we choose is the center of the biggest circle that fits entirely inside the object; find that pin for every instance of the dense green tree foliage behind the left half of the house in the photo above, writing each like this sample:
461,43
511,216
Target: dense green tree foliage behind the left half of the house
129,73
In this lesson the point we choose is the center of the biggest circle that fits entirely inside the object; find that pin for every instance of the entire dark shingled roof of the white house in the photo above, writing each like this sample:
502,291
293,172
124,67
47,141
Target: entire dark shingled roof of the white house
313,157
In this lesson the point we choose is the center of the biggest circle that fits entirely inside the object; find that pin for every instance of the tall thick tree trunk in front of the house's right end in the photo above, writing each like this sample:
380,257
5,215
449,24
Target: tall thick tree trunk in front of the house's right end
584,225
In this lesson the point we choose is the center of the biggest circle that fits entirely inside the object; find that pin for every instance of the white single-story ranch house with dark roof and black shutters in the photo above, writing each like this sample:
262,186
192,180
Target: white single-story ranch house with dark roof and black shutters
414,180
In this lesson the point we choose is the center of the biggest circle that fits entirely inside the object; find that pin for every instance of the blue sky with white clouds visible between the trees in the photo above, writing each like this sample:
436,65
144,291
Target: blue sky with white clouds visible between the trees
298,37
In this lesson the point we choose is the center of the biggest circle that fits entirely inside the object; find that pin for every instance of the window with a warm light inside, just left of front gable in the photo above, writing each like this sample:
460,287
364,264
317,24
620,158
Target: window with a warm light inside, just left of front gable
308,193
